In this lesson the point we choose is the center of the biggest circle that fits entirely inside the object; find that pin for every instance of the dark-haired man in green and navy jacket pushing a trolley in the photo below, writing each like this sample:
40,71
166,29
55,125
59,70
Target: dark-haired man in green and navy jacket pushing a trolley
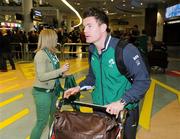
111,88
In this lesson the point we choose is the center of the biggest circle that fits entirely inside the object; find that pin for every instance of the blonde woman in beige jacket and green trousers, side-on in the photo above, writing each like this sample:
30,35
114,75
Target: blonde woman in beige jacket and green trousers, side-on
47,85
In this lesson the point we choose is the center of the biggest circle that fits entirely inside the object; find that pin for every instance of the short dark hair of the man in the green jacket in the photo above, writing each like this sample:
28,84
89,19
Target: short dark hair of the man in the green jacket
100,15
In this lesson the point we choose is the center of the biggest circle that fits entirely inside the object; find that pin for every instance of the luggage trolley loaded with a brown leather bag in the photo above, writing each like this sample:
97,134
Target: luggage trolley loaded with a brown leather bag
78,125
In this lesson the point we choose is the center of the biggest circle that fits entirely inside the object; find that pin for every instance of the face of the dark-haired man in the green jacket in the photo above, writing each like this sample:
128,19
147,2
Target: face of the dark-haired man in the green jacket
92,29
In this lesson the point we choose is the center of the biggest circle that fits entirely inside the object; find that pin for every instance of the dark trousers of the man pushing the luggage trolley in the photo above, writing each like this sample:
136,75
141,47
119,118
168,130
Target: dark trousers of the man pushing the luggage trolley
131,124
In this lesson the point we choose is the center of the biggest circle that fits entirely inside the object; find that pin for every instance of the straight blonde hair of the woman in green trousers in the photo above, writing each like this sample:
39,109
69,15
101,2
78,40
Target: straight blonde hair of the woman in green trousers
47,39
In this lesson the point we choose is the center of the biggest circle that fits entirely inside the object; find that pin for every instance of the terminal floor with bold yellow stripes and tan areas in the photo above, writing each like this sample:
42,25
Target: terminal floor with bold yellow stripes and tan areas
158,121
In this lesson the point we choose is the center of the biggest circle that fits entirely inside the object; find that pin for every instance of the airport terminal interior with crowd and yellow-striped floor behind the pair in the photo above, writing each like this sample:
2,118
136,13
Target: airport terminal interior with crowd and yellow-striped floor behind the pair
23,20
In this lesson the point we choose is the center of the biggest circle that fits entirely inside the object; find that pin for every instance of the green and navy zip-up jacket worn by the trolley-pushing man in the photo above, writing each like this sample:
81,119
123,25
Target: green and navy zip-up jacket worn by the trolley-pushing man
110,84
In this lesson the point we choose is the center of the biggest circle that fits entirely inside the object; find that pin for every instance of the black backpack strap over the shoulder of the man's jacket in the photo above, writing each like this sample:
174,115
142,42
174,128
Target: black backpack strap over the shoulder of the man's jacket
120,61
